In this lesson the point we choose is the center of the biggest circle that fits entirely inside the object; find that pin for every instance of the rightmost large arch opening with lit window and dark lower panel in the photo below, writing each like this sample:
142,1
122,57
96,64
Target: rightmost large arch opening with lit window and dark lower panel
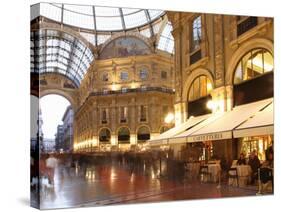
253,73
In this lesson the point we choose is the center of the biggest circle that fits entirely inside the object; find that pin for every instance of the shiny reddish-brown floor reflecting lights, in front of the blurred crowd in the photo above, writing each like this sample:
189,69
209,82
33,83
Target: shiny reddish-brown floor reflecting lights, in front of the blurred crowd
115,184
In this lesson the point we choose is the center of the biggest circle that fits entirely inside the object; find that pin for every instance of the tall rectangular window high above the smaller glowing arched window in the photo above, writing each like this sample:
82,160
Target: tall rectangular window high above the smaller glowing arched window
196,34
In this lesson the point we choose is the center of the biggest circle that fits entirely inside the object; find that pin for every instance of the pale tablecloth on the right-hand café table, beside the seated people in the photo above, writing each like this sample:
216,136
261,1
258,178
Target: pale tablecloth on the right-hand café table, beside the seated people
244,175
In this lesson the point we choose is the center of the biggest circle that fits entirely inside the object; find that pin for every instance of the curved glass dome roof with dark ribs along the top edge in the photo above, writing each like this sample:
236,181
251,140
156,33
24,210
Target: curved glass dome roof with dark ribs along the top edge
96,17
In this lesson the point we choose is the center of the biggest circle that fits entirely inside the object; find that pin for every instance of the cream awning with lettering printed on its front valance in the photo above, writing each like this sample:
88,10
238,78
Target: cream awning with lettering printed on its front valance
222,127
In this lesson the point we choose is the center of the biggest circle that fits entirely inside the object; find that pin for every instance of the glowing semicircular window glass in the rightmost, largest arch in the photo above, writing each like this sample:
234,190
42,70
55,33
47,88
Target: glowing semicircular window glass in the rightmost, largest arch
255,63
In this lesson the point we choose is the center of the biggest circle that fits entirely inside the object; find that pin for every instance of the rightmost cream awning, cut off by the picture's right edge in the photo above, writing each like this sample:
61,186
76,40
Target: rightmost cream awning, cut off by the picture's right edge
260,124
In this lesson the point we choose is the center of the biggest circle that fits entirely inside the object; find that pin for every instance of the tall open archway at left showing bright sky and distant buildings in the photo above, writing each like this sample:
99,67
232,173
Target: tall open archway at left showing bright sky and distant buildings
56,115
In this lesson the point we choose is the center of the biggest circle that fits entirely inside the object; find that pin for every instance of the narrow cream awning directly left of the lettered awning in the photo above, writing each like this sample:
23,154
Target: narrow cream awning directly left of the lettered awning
163,138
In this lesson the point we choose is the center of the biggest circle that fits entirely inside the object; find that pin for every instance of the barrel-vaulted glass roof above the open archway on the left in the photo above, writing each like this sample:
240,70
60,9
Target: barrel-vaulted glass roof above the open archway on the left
58,52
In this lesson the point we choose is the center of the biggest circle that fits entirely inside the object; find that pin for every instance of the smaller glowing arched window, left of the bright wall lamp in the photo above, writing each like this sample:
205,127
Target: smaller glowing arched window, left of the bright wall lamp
200,87
